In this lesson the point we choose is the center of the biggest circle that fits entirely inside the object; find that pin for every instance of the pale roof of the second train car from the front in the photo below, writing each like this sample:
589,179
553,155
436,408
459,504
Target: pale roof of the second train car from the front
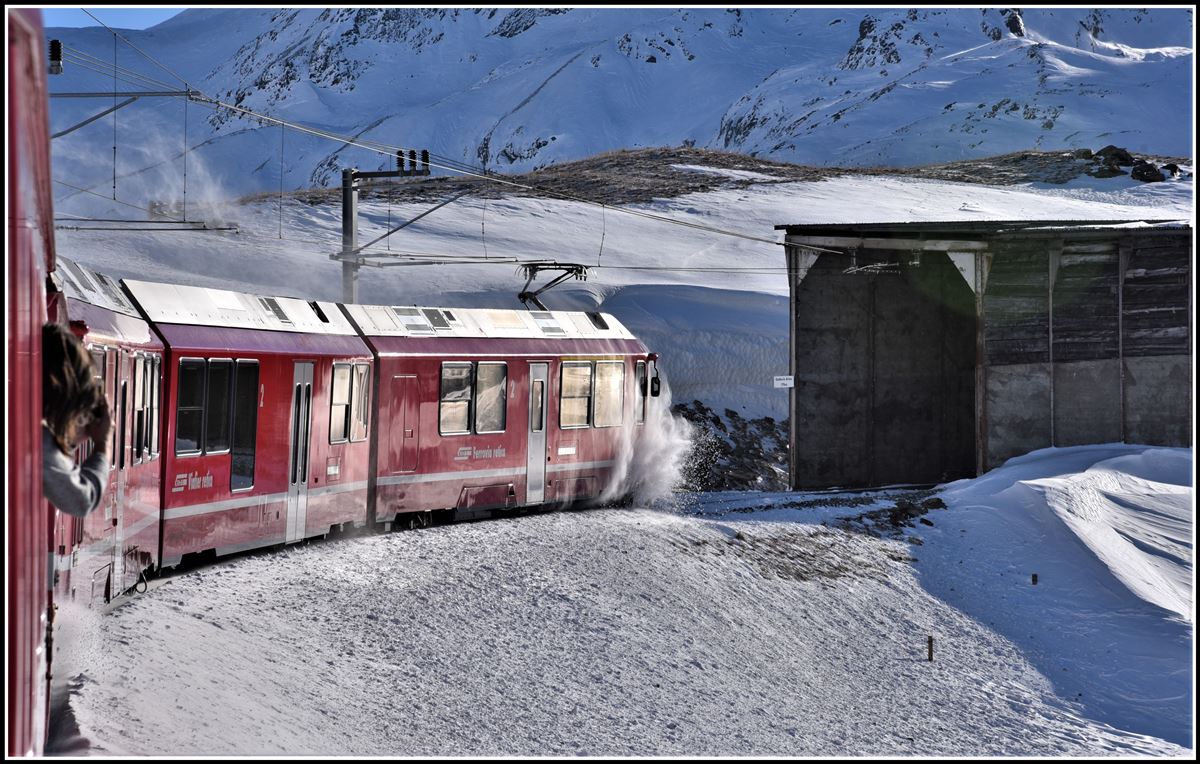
177,304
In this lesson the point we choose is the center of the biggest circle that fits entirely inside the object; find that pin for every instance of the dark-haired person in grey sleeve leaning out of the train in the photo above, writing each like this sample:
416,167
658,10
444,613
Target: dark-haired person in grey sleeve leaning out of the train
74,408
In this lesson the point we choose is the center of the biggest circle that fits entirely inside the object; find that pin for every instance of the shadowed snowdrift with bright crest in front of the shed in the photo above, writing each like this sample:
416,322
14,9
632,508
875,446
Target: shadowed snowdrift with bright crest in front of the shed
1108,530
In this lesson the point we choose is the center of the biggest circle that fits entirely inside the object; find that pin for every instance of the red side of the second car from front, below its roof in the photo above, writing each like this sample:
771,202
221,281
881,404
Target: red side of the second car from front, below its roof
273,477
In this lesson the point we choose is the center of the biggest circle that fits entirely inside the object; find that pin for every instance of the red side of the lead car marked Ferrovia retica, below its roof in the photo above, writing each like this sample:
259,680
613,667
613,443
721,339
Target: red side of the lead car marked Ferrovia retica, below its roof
428,462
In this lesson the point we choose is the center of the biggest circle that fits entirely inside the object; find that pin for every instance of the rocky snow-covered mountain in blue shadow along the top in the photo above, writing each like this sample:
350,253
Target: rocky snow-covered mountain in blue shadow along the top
517,89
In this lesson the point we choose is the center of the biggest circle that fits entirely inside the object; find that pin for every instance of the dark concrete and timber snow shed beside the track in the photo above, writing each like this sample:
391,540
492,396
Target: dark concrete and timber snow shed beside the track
1082,336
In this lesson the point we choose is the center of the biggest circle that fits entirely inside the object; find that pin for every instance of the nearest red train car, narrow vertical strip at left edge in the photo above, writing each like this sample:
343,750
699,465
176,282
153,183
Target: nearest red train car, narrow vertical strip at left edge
31,257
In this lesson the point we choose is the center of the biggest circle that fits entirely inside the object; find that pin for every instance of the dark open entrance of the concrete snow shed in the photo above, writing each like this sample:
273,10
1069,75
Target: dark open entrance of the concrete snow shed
885,372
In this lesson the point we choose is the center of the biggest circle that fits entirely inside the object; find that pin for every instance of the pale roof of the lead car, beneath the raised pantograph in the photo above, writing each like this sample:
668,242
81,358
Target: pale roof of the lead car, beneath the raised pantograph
383,321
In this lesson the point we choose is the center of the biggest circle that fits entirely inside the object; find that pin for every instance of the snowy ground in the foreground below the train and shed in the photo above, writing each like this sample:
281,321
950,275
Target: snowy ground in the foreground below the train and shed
730,624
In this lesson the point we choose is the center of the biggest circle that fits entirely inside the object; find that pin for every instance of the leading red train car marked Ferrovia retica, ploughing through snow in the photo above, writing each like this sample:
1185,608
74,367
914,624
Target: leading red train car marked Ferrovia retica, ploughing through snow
487,410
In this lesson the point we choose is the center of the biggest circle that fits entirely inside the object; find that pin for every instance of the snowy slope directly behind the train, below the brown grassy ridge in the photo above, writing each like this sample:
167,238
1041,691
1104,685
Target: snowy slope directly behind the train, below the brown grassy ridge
715,306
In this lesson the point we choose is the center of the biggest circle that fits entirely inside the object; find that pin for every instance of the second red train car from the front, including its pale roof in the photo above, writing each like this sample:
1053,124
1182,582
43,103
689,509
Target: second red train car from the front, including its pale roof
266,419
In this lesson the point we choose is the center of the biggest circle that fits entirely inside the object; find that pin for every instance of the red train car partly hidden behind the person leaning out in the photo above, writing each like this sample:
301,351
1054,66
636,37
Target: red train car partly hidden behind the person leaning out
104,555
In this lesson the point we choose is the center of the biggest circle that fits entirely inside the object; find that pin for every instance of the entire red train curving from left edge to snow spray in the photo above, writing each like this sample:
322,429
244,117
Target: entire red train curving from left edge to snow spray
245,422
